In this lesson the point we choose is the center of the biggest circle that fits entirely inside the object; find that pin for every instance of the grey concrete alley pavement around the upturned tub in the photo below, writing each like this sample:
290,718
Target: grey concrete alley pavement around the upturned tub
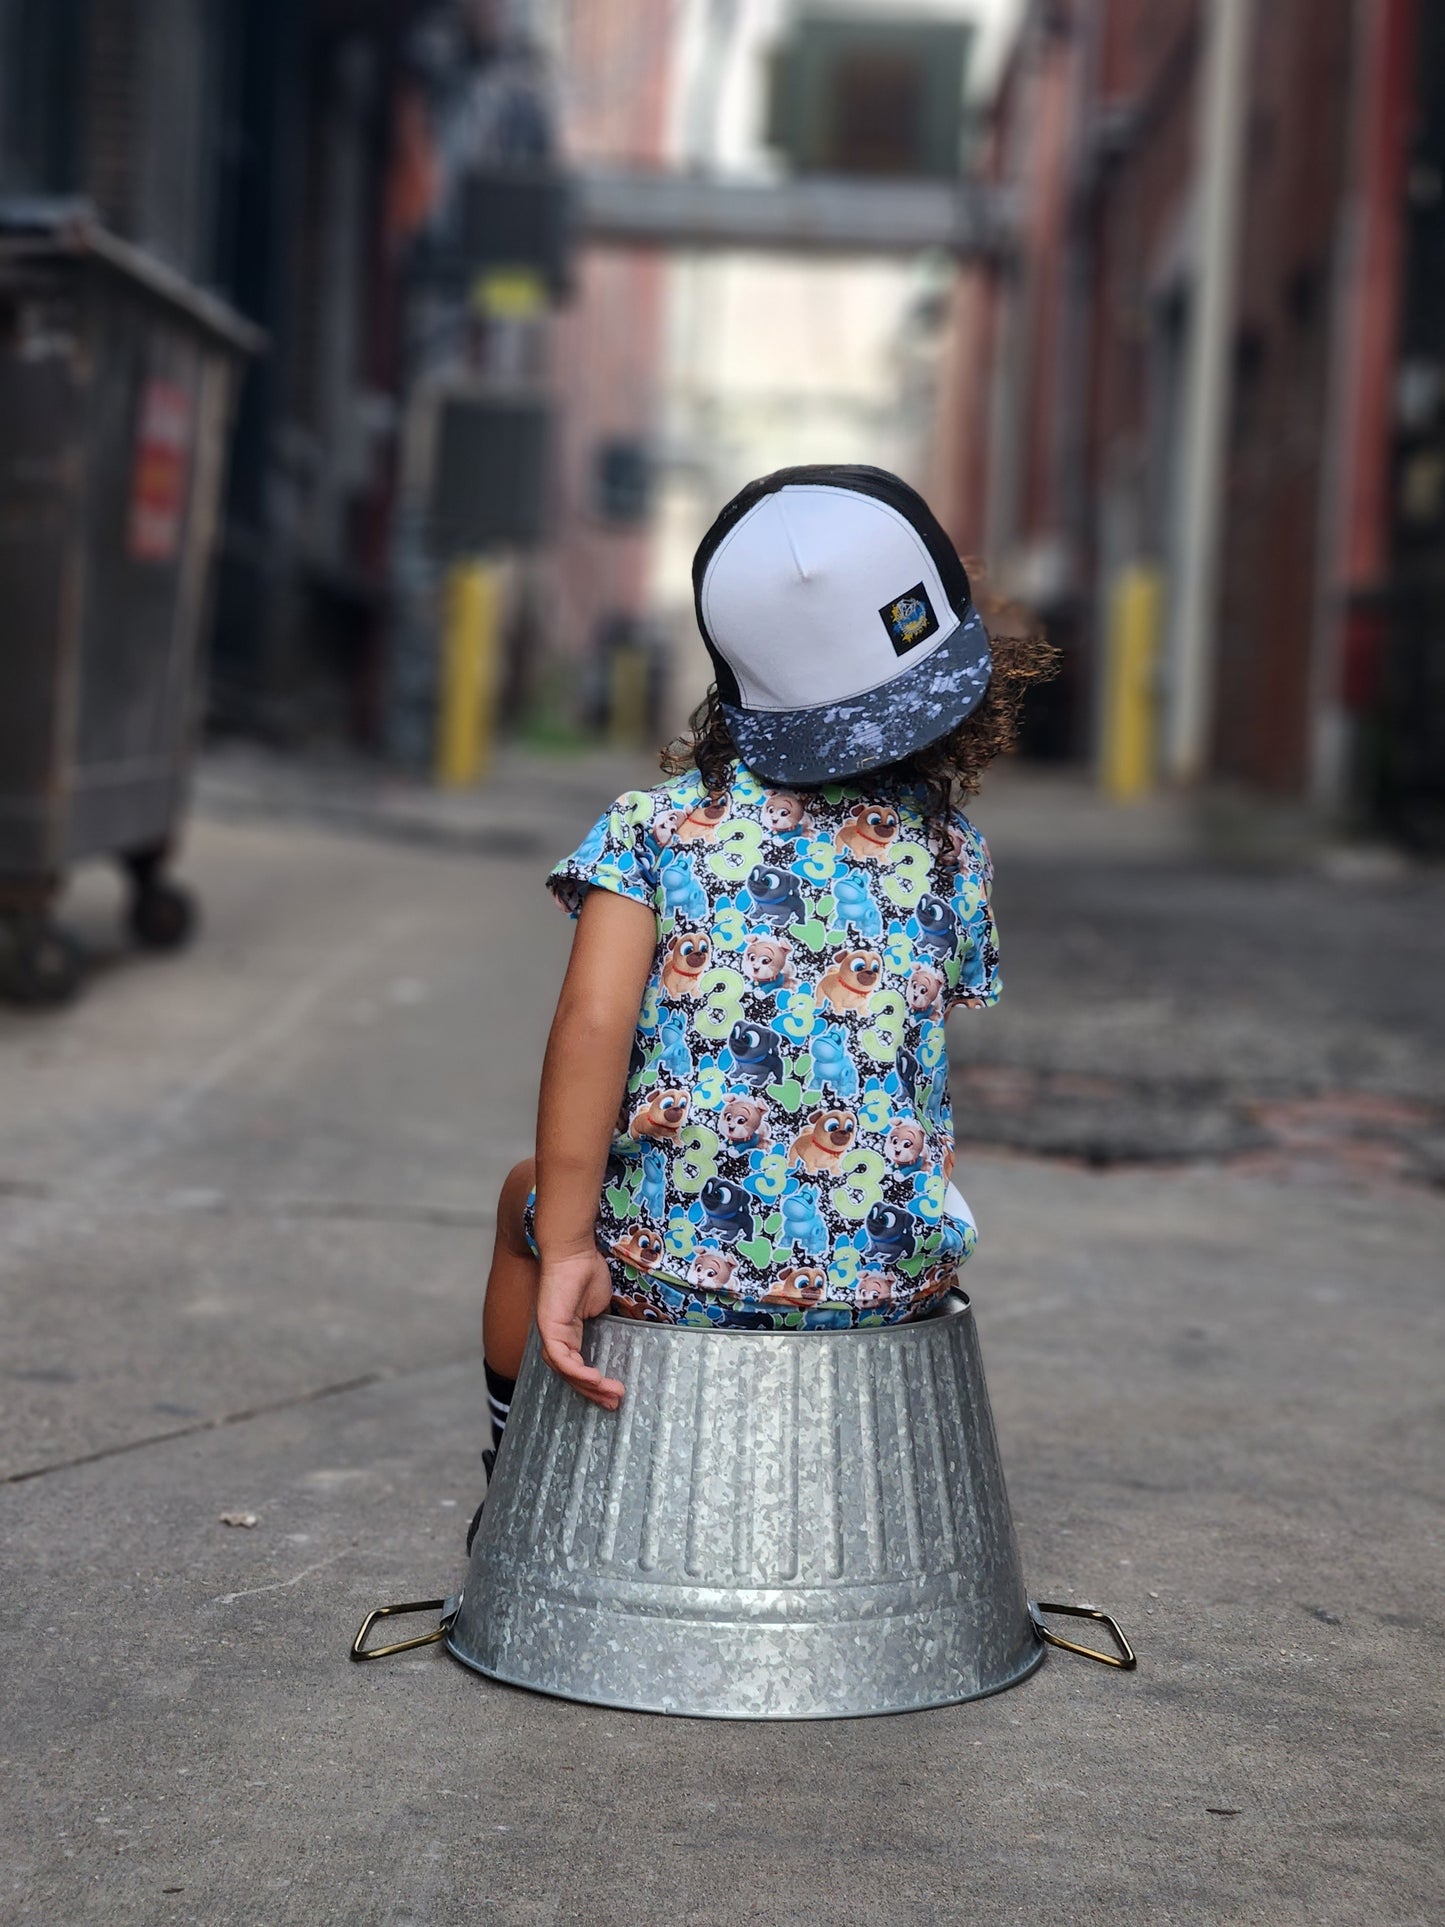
244,1221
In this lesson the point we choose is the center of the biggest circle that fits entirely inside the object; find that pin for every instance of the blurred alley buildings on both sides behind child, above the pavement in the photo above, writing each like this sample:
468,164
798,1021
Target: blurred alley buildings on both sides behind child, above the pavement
1149,296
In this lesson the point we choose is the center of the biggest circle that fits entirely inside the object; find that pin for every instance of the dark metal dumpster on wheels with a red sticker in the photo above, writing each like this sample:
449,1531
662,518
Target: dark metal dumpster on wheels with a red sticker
117,383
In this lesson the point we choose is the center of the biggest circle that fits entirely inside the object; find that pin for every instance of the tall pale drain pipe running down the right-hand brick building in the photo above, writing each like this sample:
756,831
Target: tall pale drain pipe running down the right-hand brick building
1222,124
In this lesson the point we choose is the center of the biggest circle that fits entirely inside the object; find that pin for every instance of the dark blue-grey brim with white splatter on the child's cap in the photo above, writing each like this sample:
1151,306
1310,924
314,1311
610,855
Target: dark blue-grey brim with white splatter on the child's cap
847,739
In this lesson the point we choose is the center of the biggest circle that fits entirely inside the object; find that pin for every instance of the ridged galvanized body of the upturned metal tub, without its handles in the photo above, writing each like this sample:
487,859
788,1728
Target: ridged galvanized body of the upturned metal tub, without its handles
772,1527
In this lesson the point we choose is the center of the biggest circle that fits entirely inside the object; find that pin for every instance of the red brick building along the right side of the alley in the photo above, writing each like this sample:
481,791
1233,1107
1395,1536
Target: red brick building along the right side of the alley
1072,394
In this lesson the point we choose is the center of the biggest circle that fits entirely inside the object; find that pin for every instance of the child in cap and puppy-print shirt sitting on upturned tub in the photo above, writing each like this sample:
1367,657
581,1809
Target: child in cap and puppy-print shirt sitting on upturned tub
745,1103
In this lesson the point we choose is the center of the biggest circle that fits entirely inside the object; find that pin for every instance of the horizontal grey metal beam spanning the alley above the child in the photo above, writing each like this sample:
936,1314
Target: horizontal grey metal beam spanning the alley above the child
820,215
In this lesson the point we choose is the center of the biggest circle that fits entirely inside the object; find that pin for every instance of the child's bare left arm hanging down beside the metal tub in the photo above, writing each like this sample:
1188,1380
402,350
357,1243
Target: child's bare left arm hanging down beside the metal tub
583,1080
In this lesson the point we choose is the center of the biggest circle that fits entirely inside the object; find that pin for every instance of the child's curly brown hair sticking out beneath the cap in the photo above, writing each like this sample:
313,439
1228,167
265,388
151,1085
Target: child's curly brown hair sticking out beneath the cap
941,776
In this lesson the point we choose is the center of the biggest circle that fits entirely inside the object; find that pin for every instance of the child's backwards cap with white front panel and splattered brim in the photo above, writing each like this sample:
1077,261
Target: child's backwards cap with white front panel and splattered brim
839,621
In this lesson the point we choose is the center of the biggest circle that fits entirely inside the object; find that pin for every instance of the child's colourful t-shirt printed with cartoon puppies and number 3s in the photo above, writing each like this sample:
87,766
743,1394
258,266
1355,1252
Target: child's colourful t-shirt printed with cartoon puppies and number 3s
787,1138
